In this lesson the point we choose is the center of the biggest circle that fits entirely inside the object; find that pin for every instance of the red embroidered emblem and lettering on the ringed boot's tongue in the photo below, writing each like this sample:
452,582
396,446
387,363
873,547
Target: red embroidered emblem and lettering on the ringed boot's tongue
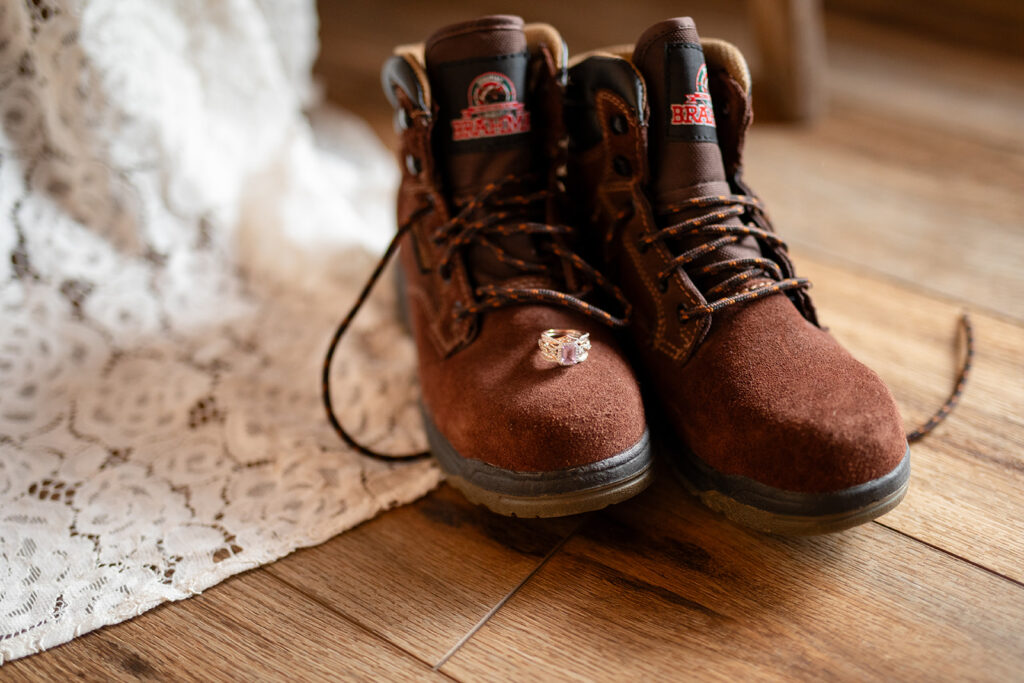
494,111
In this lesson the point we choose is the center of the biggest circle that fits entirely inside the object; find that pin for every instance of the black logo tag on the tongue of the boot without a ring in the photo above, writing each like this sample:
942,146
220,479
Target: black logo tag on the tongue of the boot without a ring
692,116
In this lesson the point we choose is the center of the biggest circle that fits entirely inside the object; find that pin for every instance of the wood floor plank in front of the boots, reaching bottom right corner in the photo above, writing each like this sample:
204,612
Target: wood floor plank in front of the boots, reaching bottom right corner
660,588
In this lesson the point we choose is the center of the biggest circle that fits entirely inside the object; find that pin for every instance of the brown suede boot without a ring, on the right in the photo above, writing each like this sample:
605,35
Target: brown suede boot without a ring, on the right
770,420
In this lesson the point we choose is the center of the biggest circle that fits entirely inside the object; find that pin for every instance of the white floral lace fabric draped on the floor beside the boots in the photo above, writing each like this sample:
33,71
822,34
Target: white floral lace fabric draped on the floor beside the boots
177,245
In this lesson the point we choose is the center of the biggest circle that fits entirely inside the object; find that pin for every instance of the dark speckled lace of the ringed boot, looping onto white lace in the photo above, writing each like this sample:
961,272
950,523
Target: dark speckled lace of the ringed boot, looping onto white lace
464,231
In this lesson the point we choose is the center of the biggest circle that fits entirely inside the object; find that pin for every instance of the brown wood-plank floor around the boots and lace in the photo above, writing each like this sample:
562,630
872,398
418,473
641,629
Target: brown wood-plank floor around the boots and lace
906,206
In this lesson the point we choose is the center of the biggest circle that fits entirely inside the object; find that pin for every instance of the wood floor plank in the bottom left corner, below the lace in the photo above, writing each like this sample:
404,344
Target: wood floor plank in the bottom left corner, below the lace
251,627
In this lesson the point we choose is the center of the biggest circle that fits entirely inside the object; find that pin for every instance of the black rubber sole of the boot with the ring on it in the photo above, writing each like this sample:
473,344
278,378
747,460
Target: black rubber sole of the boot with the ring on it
557,494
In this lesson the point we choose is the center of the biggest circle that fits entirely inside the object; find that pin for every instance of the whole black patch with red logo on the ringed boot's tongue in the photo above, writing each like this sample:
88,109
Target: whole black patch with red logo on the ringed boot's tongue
492,111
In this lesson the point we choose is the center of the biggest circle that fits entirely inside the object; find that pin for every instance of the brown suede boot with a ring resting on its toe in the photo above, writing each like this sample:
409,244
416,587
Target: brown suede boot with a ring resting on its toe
526,424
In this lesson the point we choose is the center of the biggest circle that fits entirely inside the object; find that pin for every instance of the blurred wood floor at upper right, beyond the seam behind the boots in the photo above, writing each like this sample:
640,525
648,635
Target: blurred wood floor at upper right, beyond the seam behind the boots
901,179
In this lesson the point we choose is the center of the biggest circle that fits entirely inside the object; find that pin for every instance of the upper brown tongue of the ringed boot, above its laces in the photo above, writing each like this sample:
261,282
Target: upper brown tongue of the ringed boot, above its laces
478,73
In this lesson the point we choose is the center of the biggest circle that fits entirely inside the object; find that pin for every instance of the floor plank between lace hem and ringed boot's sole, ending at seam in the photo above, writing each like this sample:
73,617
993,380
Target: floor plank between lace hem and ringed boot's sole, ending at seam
424,575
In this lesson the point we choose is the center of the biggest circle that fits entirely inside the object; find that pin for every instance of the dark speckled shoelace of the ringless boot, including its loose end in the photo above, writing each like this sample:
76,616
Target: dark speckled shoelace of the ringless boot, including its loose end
738,206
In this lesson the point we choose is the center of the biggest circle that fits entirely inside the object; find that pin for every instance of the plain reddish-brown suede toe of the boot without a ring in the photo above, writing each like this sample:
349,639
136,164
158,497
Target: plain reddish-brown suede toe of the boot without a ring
767,423
